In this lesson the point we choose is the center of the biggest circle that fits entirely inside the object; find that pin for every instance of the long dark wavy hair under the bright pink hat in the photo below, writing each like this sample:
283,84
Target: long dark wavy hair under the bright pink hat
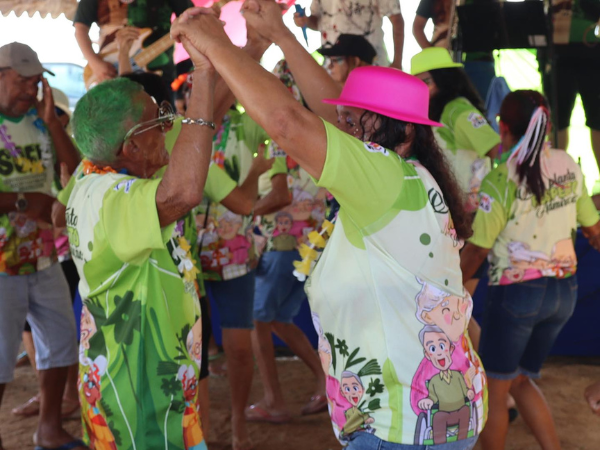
389,133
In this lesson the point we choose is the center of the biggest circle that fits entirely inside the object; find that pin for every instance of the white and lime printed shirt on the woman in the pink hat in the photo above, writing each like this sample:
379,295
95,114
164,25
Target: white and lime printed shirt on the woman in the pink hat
393,249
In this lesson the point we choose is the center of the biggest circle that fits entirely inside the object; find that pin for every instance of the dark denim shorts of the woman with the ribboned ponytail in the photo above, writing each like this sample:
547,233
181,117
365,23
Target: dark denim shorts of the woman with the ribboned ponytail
521,322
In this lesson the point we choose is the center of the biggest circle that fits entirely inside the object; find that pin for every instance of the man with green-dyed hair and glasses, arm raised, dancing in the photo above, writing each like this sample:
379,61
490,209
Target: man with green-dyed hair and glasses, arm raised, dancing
141,319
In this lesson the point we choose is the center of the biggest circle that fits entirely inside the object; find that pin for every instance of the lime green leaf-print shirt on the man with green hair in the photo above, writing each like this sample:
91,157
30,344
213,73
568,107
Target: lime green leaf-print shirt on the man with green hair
141,330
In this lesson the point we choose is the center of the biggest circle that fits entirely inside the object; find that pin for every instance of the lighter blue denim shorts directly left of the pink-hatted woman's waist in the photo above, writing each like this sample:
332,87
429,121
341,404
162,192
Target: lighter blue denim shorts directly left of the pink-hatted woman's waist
278,295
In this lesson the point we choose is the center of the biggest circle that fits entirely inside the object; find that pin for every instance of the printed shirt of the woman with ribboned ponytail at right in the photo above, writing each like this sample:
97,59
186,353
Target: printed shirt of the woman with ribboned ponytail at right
529,240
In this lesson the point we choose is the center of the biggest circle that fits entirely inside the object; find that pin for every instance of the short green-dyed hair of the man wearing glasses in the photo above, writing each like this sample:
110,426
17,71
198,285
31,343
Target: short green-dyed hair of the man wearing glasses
104,115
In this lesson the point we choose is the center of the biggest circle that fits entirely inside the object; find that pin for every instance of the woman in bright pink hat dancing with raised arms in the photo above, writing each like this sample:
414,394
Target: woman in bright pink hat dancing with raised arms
400,225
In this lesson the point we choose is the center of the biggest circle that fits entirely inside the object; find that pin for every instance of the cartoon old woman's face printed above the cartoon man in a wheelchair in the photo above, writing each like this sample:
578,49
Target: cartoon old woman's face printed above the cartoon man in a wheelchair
449,312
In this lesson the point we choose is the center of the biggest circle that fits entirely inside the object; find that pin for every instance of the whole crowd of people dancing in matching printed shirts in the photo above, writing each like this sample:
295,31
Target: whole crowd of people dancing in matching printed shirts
381,195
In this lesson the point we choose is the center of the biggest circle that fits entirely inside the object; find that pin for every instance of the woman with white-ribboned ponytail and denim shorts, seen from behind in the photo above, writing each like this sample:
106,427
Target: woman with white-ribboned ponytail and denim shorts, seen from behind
529,210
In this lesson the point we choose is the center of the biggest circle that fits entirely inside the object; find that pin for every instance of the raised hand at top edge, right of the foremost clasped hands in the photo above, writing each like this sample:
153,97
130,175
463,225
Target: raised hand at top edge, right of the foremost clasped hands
266,18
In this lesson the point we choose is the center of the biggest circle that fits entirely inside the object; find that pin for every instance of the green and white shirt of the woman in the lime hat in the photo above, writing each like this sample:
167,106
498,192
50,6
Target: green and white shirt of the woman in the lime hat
466,138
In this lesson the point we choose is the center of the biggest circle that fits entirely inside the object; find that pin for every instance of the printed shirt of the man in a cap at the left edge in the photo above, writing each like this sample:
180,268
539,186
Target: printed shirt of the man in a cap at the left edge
26,165
